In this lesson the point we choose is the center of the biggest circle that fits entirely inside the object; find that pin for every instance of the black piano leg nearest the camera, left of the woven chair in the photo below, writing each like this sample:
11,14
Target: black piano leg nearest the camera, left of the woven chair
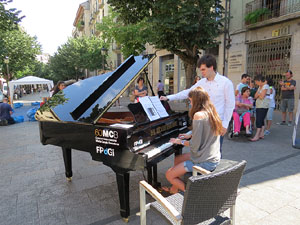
123,188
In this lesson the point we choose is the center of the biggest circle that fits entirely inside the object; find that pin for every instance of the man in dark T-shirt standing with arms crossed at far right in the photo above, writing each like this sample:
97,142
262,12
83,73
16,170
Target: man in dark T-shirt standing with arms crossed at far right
287,97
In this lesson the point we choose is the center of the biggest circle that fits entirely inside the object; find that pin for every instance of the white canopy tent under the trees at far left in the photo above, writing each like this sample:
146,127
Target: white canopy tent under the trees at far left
29,80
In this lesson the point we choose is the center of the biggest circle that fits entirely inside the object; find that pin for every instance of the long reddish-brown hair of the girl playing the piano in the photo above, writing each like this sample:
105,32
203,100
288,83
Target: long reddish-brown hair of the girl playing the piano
201,102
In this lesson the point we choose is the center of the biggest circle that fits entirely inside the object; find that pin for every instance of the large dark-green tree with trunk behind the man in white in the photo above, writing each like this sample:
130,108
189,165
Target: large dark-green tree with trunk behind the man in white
182,27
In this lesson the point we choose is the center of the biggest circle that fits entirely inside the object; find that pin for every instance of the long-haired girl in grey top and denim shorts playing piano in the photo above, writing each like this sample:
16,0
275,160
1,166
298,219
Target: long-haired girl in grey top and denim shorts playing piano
204,142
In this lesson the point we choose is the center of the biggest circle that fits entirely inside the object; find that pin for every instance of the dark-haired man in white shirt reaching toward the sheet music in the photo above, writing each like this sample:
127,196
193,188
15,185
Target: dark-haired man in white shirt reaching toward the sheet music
219,88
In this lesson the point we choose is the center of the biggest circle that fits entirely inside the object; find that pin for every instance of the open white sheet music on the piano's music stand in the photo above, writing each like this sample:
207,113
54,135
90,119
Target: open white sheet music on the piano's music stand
153,107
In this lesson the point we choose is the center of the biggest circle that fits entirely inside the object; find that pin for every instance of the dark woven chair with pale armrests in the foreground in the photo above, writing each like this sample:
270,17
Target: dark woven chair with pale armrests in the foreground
206,197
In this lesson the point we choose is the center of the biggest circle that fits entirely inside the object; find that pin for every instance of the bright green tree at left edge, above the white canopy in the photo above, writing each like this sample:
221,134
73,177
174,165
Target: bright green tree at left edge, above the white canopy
21,49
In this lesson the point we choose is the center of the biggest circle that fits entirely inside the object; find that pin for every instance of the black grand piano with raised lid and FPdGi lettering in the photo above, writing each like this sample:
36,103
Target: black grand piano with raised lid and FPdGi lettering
79,118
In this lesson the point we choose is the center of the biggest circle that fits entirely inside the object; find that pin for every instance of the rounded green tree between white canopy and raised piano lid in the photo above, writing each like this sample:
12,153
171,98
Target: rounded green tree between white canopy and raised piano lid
75,56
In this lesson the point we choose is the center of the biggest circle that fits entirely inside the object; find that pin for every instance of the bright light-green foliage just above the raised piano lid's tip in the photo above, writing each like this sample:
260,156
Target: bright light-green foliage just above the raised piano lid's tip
130,38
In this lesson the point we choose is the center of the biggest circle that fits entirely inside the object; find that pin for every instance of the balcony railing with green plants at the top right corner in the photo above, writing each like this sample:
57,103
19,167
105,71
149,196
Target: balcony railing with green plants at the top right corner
260,10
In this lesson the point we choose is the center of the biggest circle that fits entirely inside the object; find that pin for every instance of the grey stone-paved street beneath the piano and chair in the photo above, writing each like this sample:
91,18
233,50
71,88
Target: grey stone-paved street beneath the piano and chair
33,188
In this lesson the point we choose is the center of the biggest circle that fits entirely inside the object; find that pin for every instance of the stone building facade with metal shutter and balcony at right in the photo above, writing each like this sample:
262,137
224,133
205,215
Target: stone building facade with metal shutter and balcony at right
267,44
